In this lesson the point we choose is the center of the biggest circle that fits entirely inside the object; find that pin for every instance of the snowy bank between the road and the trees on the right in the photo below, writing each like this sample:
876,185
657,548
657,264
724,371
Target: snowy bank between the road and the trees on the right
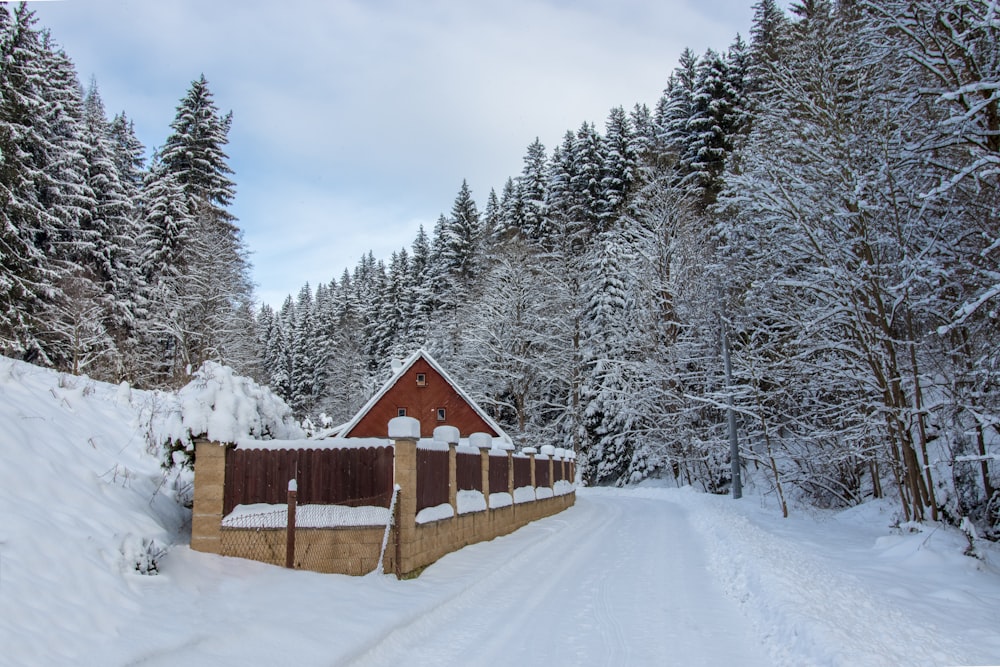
849,588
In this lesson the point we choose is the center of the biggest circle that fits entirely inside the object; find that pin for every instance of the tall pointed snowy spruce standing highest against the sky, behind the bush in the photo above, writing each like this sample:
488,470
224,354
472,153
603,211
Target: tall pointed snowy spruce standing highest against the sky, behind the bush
207,314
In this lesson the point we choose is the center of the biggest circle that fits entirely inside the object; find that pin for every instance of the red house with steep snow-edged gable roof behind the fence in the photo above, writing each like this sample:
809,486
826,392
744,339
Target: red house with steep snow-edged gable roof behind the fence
421,389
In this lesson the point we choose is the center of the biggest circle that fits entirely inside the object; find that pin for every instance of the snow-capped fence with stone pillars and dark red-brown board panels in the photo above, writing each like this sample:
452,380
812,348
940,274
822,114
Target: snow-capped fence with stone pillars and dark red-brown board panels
338,498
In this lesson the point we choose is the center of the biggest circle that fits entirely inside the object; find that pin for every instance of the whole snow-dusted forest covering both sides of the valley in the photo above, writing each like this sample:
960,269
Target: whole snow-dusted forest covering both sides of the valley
801,234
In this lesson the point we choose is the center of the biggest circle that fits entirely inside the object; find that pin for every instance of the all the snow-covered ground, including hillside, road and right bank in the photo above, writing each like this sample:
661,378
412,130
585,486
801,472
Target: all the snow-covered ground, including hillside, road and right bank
642,576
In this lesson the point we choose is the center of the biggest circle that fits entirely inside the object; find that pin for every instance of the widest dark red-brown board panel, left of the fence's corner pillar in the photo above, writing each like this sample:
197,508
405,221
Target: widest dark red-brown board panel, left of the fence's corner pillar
349,476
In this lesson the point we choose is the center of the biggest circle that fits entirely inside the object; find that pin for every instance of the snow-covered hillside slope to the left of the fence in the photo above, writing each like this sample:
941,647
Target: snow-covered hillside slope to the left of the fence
84,506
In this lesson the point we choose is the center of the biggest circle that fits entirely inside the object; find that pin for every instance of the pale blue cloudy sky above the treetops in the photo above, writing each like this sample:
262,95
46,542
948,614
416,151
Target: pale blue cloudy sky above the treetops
356,121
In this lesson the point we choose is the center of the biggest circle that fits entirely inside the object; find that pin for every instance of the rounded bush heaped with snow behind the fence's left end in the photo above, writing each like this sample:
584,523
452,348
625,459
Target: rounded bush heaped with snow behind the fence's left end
222,406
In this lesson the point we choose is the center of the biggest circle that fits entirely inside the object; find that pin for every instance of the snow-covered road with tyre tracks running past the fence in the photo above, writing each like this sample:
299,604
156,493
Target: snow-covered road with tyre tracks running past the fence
615,580
